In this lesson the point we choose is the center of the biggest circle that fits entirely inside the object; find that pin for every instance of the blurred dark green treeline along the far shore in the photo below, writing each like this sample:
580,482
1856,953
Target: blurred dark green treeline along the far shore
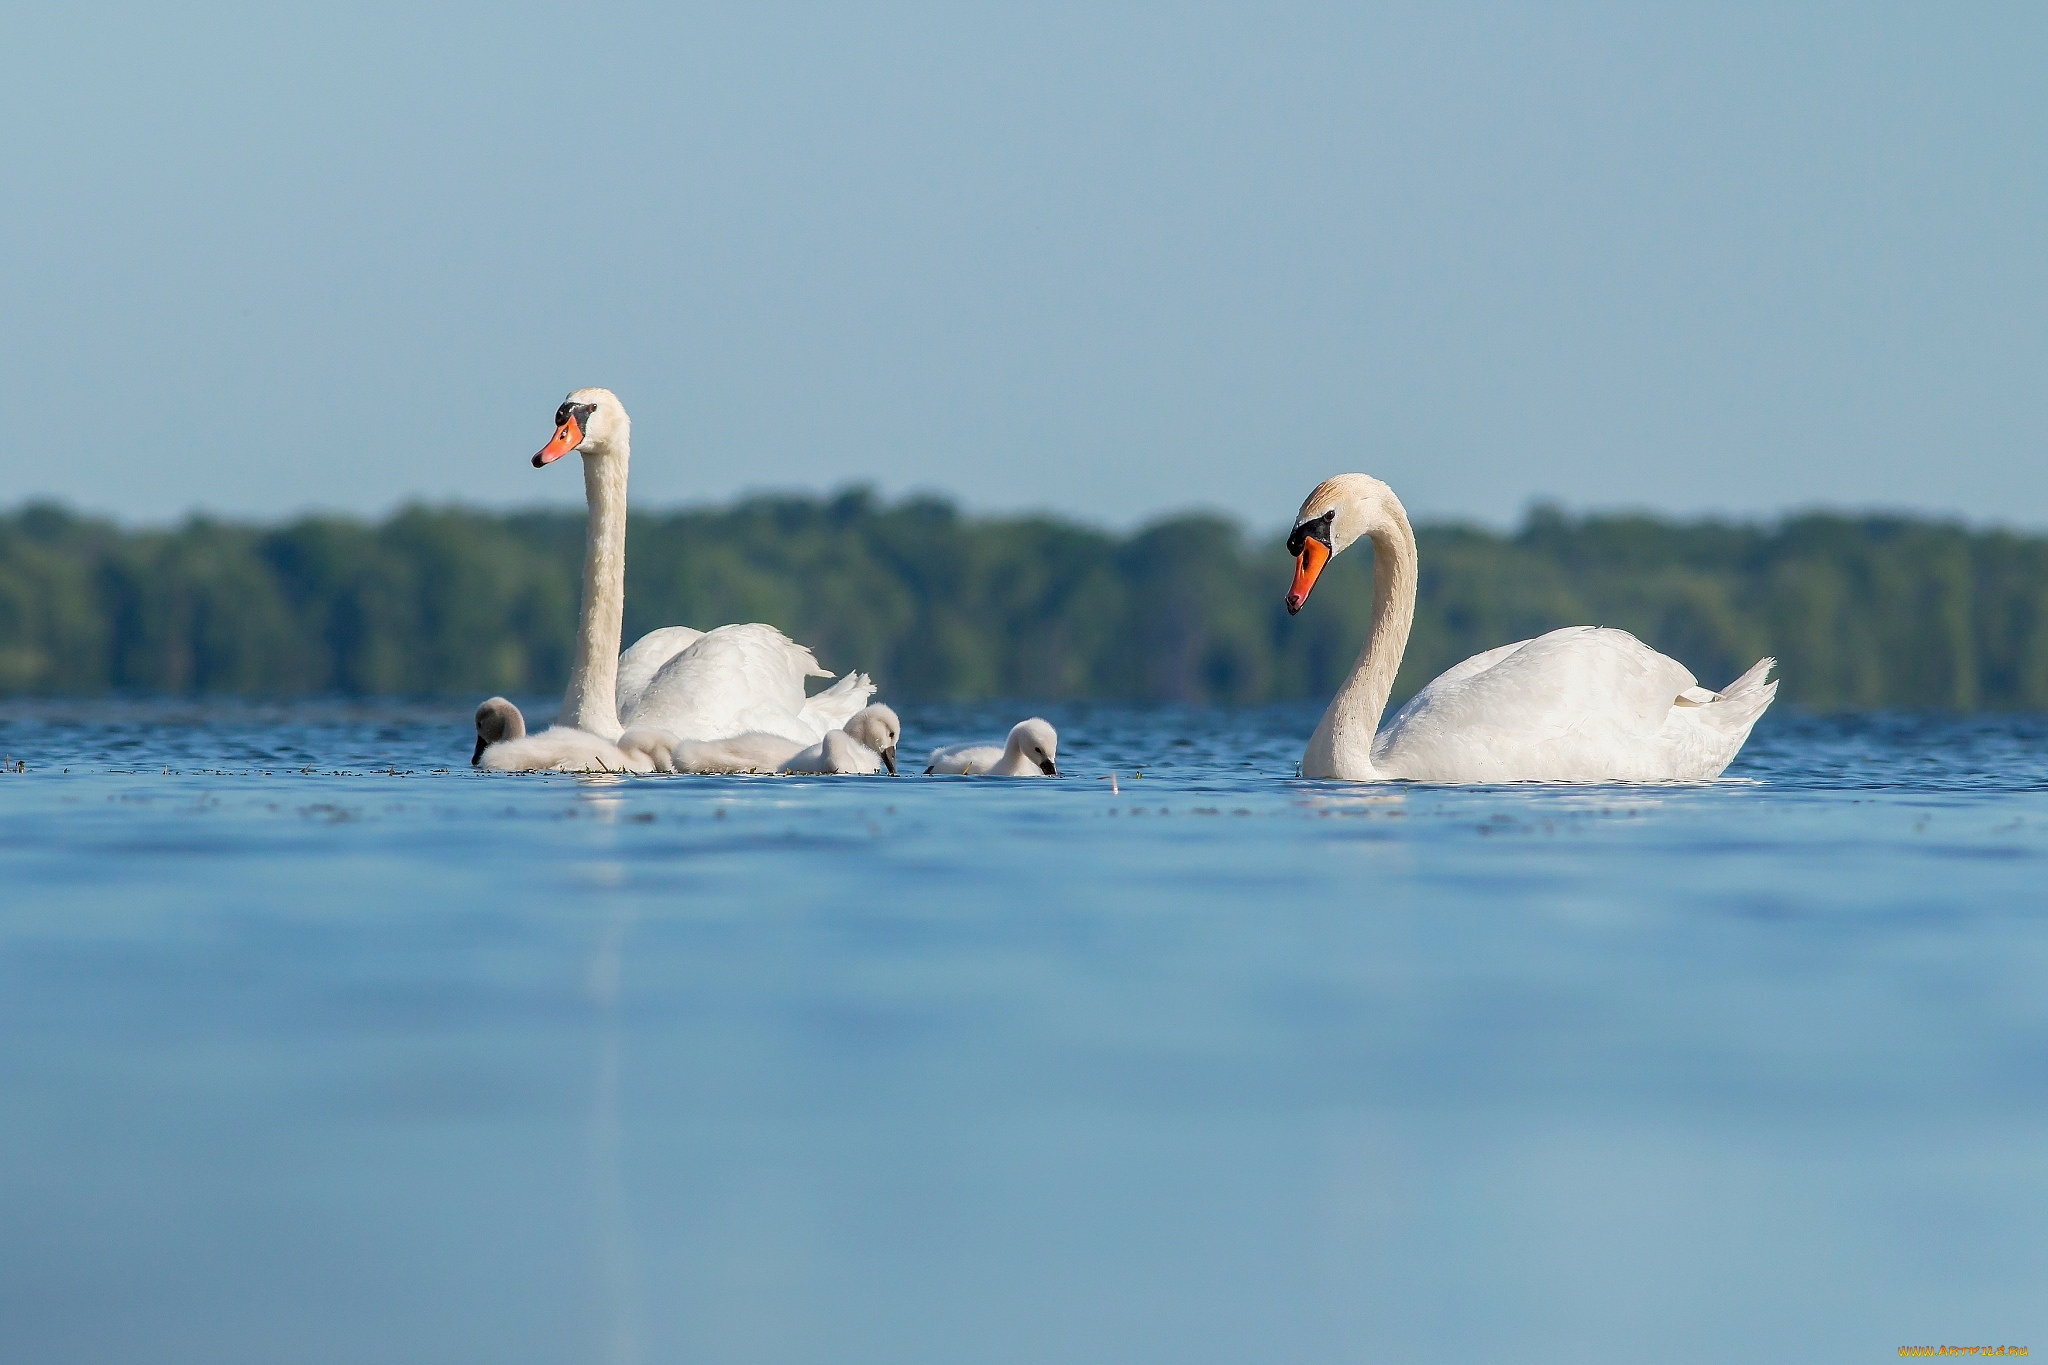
1863,611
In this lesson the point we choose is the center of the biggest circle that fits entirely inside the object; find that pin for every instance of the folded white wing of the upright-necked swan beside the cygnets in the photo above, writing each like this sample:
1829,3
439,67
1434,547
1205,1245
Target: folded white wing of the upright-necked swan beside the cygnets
730,682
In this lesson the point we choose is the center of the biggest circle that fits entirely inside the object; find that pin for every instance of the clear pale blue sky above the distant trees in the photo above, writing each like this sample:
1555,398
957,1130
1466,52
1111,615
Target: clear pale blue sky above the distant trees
1097,259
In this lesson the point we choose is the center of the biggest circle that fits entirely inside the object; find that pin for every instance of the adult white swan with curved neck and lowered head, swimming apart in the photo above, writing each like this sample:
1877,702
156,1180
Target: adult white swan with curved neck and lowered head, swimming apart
1578,705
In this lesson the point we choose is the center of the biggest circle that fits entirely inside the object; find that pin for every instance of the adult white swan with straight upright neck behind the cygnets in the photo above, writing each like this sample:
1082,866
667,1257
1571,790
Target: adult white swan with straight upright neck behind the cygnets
693,685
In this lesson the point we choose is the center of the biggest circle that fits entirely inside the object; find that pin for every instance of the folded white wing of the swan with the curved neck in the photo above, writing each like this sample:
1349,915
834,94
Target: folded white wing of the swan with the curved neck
1578,705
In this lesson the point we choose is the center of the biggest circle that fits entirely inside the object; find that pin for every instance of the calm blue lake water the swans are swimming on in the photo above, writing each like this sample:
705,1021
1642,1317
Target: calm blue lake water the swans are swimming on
321,1047
